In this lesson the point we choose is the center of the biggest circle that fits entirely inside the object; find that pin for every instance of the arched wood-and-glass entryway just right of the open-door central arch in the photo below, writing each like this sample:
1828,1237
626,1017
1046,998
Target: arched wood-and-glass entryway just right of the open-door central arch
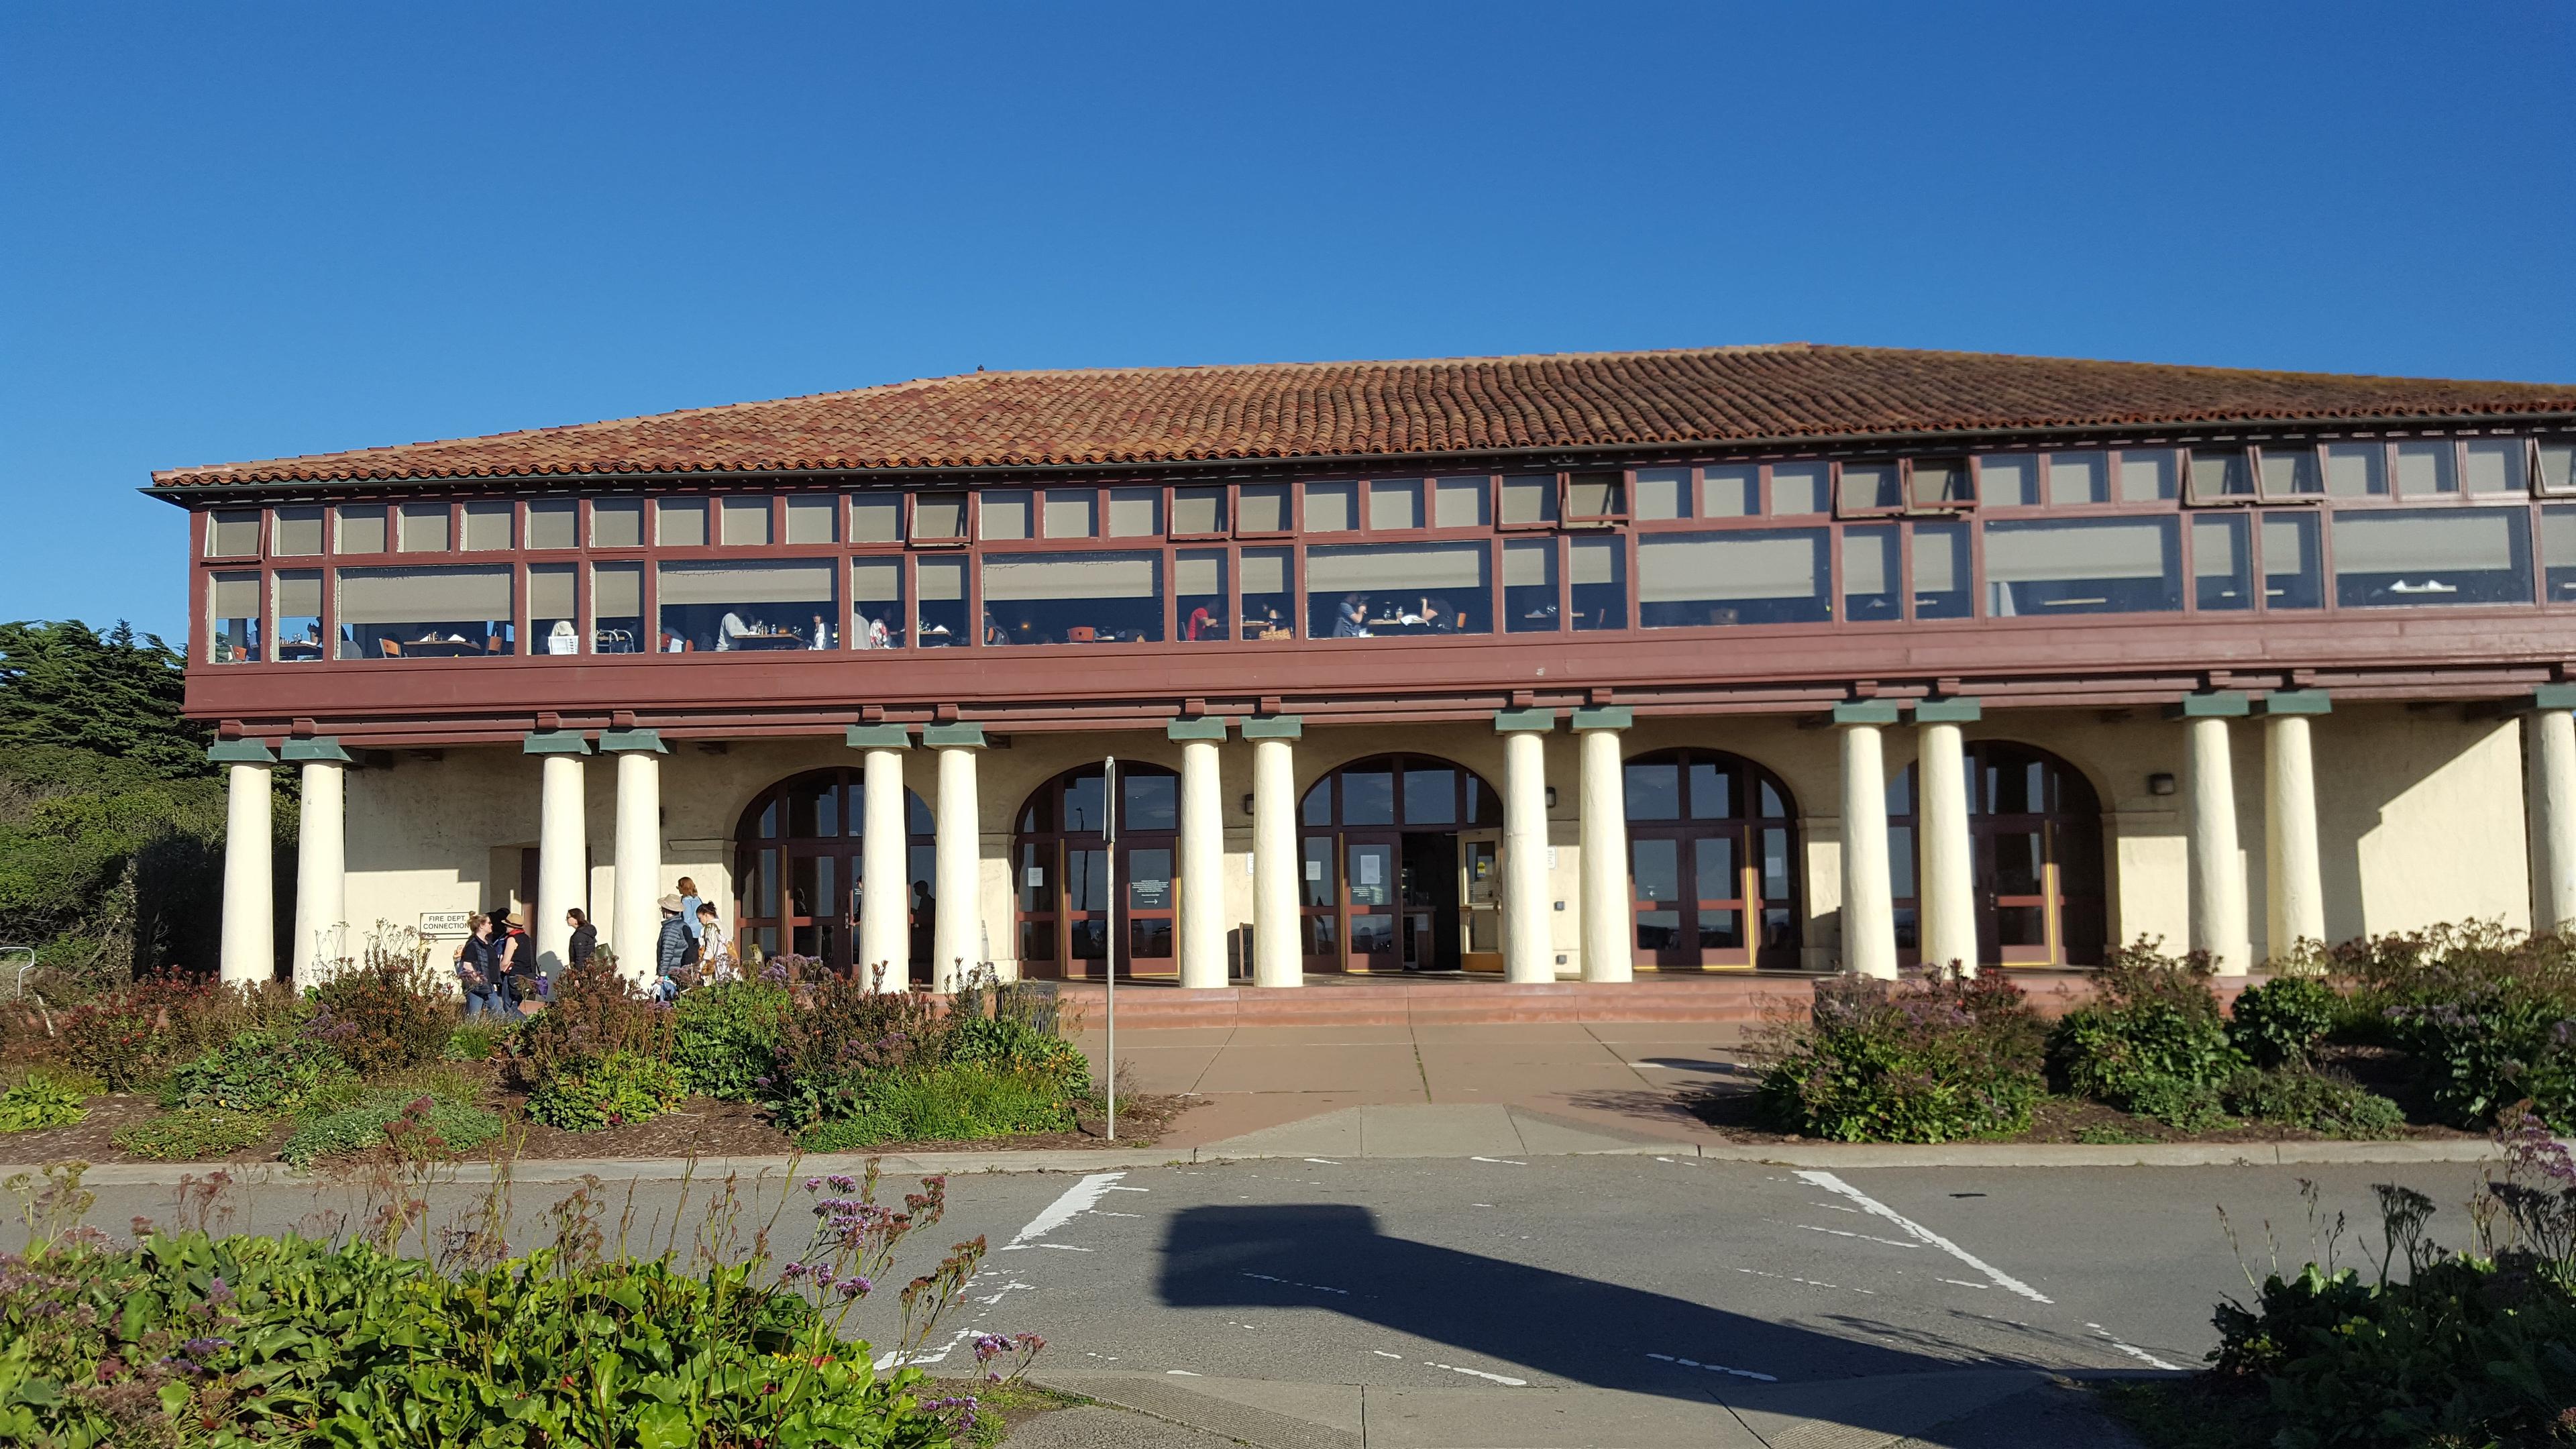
1712,862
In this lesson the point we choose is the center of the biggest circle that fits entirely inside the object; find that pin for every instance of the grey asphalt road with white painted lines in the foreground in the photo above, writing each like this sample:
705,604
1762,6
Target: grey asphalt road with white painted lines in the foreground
1637,1275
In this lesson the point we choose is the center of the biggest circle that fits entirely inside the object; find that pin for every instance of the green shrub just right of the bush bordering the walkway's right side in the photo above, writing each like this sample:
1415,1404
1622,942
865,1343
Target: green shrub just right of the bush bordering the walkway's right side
2152,1040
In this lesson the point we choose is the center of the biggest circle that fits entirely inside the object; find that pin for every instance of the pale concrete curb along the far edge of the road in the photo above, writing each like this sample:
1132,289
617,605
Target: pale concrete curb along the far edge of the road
1109,1162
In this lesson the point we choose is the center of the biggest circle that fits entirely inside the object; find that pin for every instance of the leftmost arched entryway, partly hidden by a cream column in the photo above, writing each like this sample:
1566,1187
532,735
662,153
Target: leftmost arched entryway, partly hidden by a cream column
797,862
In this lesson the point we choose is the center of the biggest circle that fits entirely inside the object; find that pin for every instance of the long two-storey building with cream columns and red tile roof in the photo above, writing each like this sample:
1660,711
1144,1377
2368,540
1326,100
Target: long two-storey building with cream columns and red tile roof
1557,666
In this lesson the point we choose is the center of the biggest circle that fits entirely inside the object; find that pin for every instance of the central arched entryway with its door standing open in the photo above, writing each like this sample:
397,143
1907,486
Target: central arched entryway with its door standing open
1400,868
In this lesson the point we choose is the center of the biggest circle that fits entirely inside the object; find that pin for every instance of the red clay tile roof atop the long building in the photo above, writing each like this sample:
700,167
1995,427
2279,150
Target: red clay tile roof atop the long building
1377,409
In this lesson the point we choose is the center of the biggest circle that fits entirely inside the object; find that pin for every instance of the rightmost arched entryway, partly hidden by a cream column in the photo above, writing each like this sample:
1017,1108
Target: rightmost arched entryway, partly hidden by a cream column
2036,831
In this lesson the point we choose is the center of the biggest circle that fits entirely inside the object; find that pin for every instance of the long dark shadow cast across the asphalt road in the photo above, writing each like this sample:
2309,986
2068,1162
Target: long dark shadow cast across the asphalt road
1573,1329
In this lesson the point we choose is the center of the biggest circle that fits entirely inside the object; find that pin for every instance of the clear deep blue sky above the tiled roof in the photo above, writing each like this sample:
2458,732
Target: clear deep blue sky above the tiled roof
254,231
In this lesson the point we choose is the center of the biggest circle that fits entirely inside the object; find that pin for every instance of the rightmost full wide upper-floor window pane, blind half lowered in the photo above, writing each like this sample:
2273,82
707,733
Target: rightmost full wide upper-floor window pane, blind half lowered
2430,558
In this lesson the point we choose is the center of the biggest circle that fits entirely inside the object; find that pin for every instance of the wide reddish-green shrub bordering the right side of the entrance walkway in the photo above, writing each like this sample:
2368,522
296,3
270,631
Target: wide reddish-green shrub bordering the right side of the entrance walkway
1936,1058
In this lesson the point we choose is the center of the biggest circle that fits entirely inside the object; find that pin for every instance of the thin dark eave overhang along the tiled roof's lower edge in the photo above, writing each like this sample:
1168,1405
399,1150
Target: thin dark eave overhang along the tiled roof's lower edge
1349,463
